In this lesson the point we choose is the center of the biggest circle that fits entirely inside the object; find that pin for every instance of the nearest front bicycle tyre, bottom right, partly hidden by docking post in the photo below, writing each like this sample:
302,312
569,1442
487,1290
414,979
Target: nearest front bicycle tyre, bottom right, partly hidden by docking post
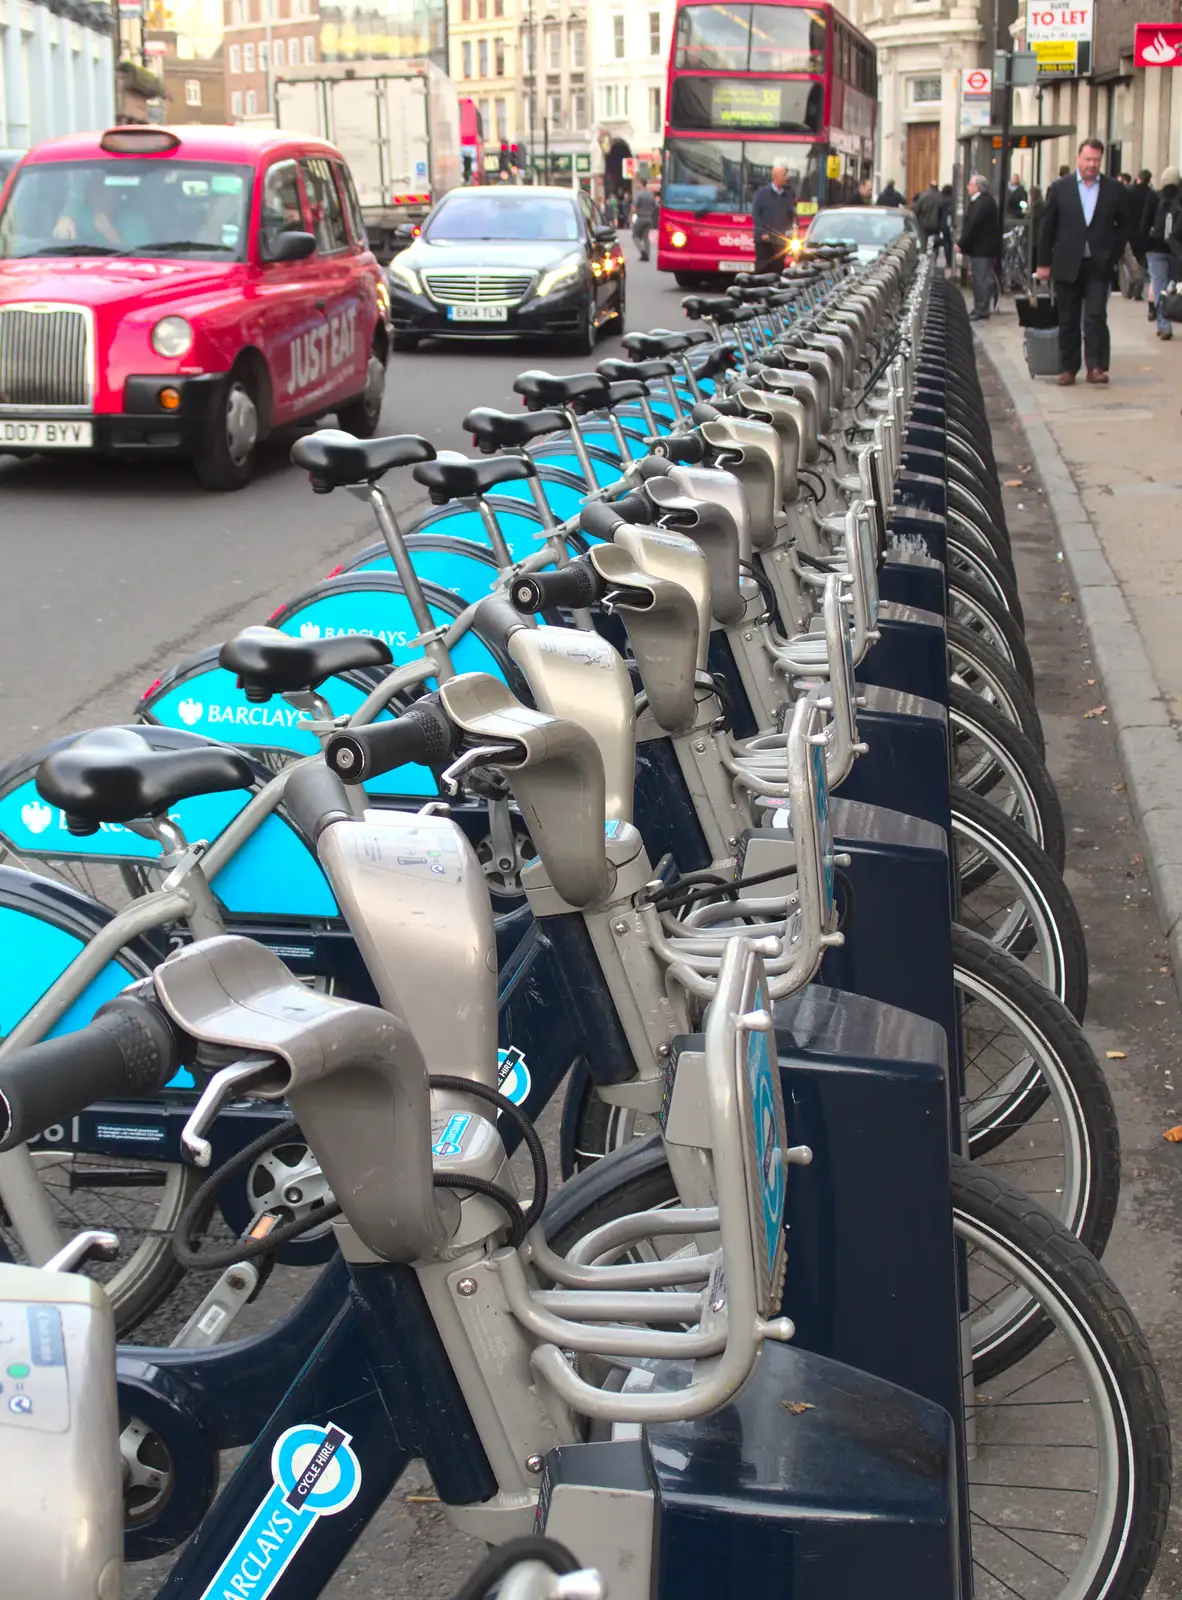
991,1217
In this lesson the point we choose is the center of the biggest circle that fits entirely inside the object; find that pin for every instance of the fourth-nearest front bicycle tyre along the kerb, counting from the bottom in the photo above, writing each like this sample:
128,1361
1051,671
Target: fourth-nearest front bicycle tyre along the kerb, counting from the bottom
1012,761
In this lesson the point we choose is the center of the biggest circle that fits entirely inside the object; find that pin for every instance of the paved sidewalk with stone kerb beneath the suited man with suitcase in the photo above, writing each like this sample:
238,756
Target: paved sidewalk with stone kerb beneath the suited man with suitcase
1111,460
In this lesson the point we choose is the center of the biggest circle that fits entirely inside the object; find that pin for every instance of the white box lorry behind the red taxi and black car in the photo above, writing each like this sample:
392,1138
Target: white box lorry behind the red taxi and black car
397,126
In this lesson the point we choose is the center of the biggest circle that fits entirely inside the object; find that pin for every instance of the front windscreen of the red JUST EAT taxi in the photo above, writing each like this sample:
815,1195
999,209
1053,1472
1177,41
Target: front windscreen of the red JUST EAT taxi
127,209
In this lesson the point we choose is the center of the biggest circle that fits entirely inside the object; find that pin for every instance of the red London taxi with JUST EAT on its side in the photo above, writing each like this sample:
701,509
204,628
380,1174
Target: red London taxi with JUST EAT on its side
185,290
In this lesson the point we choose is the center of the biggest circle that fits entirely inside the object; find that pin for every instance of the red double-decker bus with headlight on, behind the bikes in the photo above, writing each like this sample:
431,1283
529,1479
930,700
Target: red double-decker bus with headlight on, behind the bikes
753,87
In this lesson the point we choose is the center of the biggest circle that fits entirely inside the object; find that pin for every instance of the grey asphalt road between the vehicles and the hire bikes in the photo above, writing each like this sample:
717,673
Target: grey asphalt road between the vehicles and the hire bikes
113,572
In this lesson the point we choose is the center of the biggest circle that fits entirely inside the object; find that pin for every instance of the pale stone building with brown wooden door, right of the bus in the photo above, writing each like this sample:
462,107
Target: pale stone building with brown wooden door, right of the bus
924,47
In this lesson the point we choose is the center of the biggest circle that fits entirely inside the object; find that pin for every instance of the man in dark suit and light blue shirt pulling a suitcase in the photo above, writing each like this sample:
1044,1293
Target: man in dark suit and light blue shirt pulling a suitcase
1080,241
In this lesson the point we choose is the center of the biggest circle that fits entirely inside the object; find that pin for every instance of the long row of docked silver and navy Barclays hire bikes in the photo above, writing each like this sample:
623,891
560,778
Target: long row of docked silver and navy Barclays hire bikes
681,767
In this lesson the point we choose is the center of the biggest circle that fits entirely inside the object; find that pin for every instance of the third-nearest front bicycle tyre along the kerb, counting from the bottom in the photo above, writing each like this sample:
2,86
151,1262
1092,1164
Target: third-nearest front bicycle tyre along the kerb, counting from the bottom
1052,918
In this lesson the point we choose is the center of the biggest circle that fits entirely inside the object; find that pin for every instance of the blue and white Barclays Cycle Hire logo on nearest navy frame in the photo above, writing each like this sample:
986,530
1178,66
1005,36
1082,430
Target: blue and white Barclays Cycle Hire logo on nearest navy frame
316,1474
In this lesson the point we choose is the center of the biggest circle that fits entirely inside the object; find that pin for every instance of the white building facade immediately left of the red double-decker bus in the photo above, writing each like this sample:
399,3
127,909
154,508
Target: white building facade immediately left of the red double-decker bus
631,62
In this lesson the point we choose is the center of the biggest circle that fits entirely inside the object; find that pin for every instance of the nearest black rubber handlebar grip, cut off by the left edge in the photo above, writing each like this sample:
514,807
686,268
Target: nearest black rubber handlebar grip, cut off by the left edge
129,1052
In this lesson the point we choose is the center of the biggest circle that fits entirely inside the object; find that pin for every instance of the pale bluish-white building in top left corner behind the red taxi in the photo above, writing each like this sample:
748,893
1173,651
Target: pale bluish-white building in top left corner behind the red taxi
57,70
